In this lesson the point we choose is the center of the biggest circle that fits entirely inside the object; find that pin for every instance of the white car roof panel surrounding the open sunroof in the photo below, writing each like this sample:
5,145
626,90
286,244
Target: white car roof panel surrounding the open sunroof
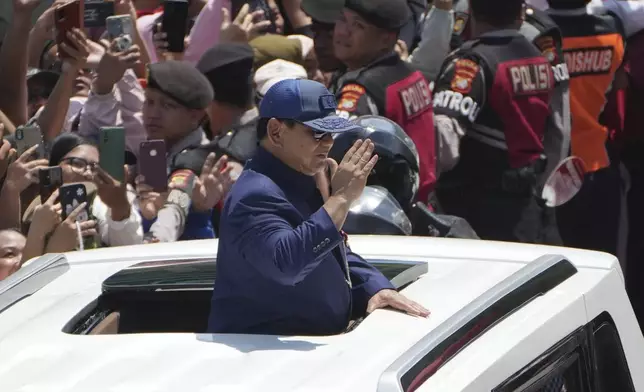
38,356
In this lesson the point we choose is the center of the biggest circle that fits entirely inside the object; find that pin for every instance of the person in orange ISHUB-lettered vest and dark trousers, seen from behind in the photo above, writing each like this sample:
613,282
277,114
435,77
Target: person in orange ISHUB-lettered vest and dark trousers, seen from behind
594,49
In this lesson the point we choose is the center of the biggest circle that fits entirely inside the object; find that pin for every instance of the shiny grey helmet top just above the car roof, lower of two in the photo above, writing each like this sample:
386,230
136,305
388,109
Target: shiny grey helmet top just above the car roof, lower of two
377,212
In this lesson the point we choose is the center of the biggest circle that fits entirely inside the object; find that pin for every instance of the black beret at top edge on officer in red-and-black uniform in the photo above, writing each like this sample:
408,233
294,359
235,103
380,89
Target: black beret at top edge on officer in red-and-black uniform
385,14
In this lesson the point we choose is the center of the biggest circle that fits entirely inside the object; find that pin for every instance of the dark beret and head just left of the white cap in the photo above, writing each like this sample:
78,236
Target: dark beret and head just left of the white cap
229,69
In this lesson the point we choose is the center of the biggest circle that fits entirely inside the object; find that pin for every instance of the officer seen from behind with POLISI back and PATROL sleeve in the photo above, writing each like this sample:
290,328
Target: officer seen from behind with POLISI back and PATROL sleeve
492,104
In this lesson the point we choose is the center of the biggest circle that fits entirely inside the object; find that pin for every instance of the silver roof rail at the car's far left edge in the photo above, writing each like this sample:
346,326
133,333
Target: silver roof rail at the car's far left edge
31,278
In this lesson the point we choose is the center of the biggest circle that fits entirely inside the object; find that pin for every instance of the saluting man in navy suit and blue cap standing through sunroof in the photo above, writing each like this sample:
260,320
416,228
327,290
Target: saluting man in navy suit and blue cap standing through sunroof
283,266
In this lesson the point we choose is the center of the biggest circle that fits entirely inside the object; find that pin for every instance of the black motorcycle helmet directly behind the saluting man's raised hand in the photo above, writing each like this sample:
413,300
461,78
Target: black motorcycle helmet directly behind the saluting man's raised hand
397,167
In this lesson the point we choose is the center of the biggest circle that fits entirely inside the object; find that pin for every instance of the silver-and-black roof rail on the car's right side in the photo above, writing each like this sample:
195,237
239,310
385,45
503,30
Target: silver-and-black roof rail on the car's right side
436,348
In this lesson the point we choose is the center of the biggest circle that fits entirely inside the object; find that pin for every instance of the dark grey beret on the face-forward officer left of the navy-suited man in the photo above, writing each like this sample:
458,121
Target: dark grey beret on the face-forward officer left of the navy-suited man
181,82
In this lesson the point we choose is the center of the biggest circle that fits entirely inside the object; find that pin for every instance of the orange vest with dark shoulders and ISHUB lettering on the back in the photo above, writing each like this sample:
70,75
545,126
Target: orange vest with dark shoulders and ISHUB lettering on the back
593,48
